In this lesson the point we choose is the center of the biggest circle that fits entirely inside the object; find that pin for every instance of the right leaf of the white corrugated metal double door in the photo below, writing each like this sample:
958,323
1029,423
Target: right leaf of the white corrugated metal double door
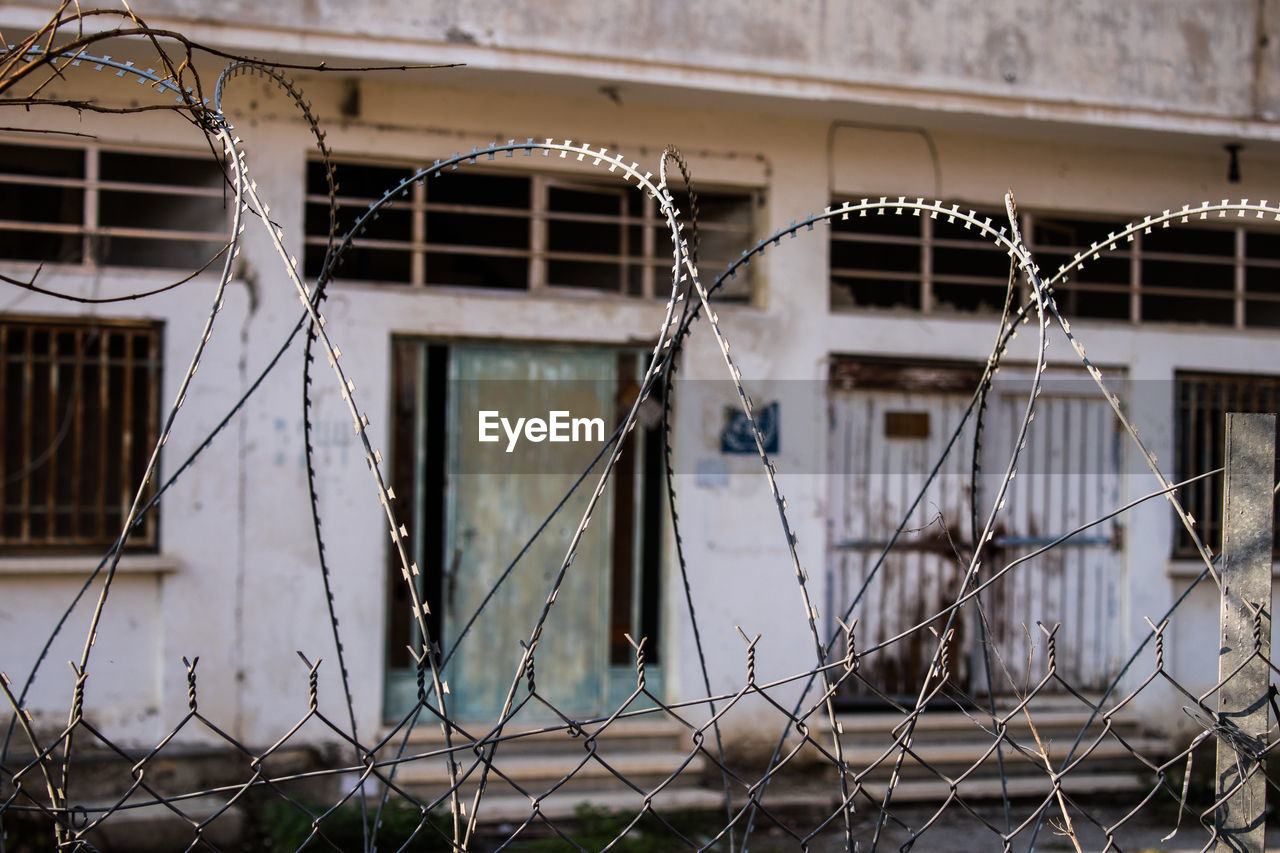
1068,475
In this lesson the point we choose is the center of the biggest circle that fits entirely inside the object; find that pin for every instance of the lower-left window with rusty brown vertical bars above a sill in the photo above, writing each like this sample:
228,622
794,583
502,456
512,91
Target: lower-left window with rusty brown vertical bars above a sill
81,403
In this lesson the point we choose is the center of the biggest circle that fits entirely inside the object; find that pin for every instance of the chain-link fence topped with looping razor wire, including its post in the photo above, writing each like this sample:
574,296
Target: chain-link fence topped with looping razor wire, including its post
1017,755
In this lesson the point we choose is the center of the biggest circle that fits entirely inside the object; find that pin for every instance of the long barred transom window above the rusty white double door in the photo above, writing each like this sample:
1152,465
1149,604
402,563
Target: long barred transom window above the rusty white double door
1227,276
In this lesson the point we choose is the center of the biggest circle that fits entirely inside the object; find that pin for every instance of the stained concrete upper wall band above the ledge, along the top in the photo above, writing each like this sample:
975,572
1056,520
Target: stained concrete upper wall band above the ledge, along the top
1187,56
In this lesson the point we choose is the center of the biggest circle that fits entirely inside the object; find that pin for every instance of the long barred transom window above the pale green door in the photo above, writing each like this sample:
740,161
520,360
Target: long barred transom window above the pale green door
520,232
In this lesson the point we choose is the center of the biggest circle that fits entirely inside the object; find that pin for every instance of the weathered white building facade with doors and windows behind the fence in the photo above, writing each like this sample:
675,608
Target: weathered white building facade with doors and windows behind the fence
538,270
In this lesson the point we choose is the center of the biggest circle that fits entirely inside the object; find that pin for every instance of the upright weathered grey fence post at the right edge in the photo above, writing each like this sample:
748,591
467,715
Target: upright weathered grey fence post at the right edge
1246,632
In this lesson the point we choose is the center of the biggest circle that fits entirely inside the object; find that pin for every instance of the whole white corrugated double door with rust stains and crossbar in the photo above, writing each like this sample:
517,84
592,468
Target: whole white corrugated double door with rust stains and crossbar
890,425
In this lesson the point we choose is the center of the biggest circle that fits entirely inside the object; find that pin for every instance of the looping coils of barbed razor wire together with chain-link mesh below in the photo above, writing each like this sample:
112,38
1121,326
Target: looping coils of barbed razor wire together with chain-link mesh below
474,763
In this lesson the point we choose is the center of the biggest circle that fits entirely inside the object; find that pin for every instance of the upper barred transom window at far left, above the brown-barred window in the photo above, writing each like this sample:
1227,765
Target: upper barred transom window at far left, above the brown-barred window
100,207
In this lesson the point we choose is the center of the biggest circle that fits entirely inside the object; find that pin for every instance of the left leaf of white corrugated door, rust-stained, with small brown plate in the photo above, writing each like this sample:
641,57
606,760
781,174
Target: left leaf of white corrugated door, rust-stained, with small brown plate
890,425
